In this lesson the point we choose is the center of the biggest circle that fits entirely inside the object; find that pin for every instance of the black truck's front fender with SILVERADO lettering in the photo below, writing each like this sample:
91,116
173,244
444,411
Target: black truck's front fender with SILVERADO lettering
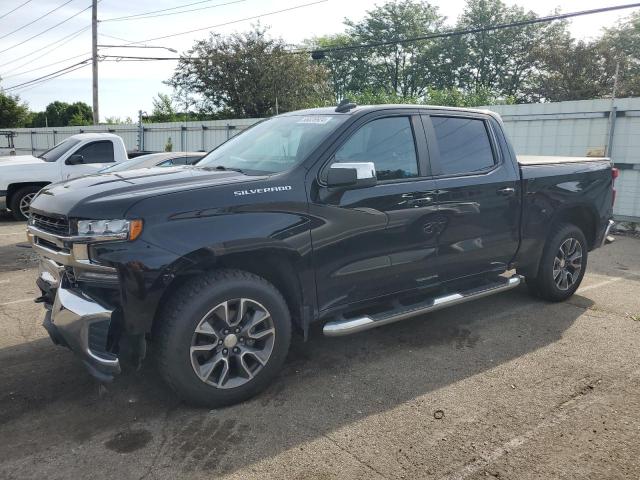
189,231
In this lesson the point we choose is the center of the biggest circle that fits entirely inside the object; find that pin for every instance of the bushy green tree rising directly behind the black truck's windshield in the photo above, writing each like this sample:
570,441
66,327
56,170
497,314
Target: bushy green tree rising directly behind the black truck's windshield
248,75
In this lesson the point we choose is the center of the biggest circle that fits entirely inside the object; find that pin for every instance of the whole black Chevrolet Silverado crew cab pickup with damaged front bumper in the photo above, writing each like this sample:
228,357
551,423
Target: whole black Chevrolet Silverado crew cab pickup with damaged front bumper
353,216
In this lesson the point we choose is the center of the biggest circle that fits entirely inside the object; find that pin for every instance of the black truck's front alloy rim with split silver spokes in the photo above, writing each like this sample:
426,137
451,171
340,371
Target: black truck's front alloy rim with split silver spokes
232,343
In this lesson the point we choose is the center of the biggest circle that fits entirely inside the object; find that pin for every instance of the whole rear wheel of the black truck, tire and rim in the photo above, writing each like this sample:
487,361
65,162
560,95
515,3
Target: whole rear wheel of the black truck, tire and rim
562,265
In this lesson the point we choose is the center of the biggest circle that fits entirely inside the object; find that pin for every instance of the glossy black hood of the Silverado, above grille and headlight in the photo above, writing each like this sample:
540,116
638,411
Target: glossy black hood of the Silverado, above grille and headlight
110,195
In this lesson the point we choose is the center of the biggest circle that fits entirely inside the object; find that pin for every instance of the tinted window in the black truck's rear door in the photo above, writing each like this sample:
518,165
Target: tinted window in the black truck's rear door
464,144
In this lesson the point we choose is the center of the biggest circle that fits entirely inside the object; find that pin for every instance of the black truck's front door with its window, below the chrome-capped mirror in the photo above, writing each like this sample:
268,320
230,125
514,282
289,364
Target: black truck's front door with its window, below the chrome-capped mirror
378,240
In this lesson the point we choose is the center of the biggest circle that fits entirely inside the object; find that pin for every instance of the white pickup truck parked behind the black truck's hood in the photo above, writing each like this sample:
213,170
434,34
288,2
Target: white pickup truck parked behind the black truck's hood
22,176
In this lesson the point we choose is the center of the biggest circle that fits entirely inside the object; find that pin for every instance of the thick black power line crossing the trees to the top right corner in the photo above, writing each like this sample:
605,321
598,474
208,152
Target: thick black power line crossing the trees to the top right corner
452,33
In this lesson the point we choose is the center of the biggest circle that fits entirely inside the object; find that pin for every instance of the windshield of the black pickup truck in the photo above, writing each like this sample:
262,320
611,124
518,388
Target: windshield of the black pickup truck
273,145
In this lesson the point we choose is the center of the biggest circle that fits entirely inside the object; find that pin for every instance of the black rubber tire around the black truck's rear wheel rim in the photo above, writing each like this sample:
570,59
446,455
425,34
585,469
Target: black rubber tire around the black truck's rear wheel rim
545,284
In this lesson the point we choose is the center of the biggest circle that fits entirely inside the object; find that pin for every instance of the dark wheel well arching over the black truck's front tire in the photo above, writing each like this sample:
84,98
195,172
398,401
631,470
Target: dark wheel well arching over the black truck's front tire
274,266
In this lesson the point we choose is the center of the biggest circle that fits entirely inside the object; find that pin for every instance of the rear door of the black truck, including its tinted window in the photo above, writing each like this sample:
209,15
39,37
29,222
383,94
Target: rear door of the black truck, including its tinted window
478,197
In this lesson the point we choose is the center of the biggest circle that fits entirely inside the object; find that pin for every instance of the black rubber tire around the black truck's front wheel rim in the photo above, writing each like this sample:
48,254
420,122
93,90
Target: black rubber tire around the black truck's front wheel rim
187,309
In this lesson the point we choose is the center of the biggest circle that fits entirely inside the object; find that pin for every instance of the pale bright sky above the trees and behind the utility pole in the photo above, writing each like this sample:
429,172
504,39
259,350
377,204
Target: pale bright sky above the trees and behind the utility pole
127,87
